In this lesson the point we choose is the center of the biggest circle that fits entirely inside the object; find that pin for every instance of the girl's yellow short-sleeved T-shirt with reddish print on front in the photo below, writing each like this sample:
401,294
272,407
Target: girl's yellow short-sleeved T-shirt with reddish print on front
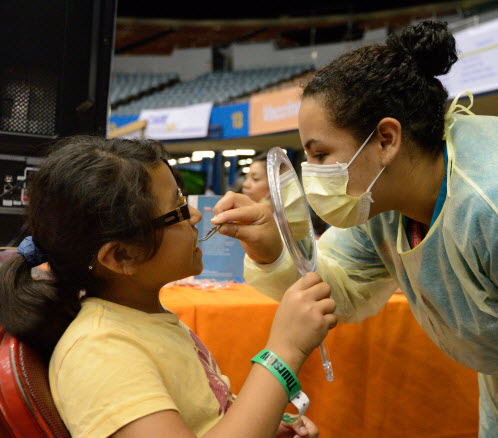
115,364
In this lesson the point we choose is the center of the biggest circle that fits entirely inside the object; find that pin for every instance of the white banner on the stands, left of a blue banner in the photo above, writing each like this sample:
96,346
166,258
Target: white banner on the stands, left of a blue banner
175,123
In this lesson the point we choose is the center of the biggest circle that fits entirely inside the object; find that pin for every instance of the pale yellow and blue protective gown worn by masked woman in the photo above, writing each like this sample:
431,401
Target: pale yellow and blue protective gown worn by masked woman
450,279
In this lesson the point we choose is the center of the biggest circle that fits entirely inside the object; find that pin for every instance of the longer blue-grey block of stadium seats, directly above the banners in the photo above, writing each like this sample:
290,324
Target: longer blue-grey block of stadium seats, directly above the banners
218,87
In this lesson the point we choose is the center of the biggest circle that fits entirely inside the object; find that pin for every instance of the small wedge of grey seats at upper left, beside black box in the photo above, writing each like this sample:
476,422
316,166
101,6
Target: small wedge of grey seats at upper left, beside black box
126,86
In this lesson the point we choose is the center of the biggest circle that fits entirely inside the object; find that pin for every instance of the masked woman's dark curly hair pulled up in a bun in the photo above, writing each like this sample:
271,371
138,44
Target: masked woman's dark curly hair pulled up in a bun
396,80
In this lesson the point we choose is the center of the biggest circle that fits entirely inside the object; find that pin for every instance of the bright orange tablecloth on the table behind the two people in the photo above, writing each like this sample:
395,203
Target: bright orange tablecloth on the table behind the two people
391,381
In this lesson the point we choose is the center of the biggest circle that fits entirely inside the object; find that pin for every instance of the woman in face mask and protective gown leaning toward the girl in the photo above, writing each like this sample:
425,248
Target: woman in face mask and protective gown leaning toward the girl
411,192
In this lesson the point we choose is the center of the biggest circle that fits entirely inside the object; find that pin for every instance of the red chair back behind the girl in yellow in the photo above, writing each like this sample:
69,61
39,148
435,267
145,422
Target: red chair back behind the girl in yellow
26,406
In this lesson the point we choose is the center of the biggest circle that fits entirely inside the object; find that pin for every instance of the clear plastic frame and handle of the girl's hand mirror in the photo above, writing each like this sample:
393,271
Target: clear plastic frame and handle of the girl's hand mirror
275,158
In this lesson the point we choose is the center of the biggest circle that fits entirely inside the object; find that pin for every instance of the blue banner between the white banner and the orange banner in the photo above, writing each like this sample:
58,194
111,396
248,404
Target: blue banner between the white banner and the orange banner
229,121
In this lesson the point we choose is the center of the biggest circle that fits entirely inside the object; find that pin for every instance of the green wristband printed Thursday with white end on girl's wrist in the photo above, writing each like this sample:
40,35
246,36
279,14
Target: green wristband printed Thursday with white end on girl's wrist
288,380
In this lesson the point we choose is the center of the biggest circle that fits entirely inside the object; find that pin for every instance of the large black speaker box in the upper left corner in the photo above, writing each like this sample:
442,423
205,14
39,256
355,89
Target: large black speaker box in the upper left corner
55,61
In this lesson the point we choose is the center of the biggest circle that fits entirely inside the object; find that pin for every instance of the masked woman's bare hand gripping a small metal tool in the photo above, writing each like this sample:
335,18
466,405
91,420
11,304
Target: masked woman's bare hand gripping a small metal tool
252,223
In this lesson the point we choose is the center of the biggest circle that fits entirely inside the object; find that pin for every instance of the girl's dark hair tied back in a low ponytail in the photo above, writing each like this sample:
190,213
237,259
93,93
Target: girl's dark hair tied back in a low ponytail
87,192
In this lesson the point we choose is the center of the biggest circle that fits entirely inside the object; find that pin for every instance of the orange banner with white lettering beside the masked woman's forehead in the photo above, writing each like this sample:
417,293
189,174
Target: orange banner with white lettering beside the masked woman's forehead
274,112
